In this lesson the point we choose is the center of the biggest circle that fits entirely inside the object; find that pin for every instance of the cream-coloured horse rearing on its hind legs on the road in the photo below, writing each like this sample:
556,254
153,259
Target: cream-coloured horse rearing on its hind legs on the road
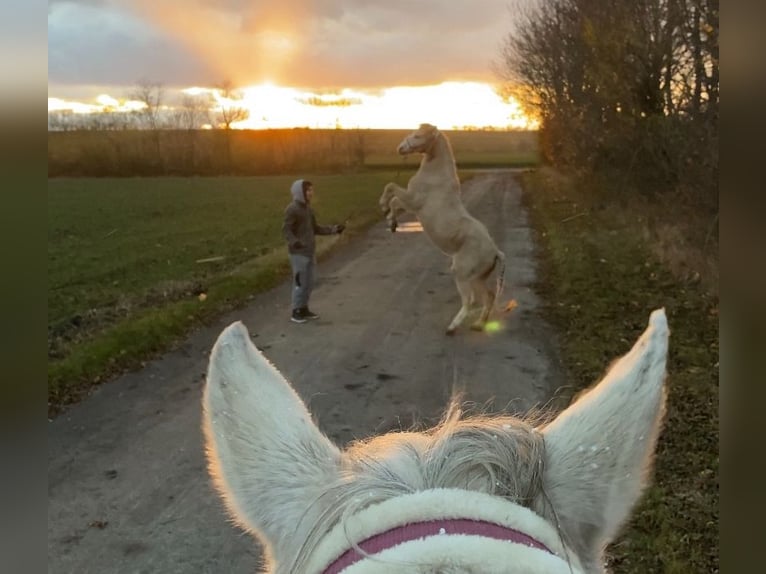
433,195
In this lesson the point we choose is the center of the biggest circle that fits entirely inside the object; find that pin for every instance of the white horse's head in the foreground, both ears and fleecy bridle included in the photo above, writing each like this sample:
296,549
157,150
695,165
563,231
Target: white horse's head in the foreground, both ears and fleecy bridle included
474,495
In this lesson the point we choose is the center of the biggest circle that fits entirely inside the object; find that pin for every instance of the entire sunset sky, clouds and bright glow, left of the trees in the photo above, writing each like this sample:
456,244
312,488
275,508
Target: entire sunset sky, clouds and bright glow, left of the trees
394,63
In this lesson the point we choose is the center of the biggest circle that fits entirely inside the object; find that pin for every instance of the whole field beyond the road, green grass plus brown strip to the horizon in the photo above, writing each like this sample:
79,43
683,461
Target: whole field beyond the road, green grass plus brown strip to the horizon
134,261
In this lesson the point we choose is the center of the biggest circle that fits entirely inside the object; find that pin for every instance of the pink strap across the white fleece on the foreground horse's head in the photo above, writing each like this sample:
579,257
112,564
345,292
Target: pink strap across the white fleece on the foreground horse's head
417,530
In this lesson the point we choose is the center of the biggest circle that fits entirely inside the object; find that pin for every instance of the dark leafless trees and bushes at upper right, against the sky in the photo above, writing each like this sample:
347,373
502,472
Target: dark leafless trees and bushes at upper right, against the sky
627,88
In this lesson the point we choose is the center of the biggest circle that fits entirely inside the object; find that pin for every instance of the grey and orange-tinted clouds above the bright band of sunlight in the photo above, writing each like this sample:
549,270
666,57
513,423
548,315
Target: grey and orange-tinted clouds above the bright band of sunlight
320,43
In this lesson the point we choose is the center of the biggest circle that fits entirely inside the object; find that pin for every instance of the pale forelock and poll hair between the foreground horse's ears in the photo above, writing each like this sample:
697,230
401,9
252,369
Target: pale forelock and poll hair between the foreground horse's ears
496,455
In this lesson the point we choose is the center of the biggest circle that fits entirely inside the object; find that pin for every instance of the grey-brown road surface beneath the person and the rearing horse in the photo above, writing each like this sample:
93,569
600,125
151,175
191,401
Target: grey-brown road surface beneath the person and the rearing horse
127,486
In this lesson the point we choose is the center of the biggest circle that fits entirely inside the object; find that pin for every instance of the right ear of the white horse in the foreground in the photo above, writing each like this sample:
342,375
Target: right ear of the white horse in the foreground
599,451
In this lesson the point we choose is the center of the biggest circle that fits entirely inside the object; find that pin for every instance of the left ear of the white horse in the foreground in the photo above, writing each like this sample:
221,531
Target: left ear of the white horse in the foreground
267,457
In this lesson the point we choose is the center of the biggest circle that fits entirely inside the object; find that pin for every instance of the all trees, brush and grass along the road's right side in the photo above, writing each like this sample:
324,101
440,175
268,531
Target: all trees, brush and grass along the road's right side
627,92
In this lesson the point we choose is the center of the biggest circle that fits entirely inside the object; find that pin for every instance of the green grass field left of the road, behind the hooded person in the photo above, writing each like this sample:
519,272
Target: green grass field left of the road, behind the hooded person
134,264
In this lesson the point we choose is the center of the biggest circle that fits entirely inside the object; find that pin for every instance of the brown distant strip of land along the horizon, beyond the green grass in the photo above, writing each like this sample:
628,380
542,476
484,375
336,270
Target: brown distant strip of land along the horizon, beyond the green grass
266,152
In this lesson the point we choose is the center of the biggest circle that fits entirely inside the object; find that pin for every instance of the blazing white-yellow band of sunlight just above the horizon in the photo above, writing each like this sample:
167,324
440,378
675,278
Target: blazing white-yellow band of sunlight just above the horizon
449,105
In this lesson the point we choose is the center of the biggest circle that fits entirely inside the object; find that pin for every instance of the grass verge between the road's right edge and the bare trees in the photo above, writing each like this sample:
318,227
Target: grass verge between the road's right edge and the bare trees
600,277
